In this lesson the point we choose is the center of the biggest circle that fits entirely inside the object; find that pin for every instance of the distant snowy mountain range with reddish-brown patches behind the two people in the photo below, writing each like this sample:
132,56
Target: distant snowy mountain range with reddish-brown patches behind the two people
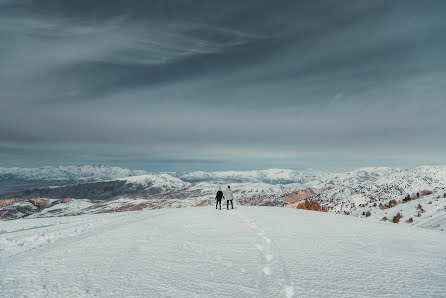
95,189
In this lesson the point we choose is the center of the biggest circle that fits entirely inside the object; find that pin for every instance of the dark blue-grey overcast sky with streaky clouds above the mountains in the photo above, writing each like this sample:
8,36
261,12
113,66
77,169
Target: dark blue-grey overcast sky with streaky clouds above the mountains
223,85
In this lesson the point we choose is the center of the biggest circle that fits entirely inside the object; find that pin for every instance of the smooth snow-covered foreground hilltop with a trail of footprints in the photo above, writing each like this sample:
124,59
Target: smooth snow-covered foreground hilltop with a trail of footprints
203,252
